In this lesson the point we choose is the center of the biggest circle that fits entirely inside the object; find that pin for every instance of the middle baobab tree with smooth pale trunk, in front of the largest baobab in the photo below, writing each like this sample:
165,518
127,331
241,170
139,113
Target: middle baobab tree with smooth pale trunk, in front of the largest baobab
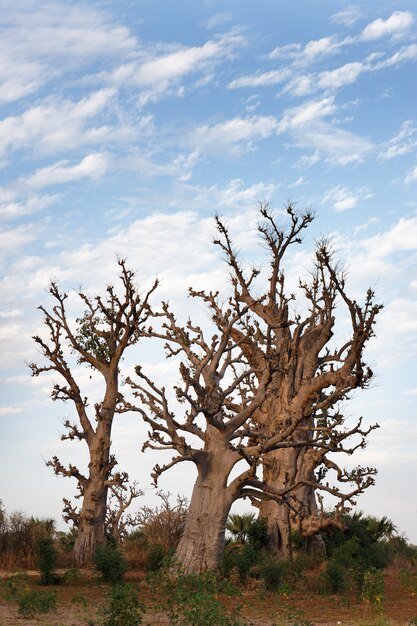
222,392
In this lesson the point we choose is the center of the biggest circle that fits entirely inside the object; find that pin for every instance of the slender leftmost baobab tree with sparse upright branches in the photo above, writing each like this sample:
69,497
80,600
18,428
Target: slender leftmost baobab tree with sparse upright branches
97,340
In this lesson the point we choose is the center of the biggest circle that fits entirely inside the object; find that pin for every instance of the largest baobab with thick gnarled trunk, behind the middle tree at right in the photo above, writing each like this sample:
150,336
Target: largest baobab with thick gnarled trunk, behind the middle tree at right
310,379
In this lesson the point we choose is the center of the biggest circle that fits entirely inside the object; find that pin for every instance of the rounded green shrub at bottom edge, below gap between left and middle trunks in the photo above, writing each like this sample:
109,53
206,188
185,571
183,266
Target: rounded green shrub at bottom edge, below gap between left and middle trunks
123,608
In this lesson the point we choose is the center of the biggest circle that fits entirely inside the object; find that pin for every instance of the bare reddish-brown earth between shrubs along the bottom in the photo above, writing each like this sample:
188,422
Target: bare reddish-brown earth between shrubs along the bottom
78,600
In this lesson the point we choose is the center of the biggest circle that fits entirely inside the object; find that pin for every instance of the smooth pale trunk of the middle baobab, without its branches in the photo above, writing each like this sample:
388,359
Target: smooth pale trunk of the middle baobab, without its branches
201,546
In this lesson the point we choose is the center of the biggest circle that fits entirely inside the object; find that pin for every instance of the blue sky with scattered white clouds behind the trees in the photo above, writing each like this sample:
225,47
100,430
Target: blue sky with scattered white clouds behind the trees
124,127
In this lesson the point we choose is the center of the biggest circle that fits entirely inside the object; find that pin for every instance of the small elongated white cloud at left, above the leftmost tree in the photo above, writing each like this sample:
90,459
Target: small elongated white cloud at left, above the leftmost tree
92,166
